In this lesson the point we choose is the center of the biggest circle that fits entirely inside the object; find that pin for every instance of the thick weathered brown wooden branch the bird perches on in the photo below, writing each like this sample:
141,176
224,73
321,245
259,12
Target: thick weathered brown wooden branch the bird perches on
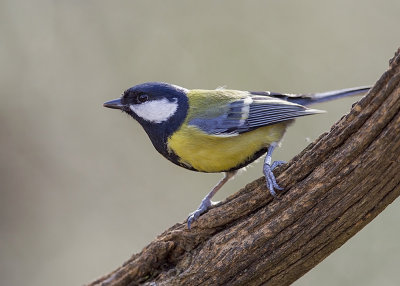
336,186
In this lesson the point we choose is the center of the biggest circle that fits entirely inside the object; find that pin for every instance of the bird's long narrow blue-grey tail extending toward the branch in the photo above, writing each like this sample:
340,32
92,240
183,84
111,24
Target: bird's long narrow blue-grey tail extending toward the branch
308,99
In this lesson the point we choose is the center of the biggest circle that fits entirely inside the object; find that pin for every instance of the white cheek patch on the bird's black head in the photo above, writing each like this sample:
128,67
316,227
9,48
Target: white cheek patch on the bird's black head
155,111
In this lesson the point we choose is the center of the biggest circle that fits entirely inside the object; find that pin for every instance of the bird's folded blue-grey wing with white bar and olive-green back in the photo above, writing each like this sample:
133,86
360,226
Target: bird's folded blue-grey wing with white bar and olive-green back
240,112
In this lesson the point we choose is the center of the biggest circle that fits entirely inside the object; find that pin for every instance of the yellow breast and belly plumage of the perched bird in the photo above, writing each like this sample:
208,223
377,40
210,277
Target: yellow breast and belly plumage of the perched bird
208,153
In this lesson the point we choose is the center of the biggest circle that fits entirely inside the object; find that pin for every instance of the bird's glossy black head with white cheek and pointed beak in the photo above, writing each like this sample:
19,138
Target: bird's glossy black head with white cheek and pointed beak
159,107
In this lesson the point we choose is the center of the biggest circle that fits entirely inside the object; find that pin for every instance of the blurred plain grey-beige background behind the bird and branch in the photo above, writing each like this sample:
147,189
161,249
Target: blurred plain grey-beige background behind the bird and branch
81,186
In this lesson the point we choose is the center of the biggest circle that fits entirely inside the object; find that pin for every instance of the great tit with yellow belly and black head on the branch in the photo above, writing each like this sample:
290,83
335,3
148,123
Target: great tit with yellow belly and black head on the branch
218,130
